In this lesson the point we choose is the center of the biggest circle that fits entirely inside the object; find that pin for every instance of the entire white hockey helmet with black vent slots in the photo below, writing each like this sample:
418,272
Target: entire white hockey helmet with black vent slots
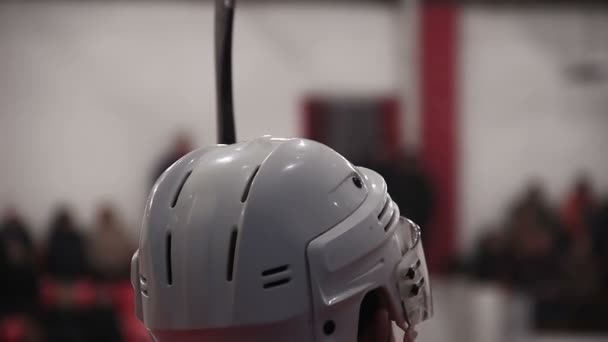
273,240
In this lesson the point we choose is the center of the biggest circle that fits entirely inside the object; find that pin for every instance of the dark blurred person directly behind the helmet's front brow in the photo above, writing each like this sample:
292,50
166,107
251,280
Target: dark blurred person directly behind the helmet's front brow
411,189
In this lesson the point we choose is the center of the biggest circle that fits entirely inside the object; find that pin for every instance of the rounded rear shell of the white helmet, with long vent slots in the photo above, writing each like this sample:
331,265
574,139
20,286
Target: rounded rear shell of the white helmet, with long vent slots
226,230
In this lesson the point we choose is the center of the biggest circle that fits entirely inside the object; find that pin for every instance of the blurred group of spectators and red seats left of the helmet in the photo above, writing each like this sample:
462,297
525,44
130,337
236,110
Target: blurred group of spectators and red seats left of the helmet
73,286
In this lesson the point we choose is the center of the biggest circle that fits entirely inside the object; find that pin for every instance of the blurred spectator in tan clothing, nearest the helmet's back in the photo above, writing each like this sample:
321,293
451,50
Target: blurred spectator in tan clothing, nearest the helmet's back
110,249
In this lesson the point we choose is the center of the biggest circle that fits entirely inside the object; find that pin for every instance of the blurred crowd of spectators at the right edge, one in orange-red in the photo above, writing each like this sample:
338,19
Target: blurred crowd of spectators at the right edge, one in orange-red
555,253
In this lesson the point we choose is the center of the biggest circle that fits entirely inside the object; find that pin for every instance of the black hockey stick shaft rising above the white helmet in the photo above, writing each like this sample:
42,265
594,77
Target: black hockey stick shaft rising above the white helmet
224,18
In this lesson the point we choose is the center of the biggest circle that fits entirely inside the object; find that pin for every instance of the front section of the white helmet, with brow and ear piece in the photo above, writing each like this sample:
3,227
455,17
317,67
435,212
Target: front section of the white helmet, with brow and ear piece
374,249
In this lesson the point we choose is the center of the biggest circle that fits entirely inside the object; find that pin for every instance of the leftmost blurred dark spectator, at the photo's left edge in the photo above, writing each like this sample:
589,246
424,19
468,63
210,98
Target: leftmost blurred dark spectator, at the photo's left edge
19,285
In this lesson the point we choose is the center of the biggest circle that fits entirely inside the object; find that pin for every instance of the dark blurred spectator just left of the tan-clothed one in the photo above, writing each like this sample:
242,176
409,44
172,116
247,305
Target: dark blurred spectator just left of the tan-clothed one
65,254
